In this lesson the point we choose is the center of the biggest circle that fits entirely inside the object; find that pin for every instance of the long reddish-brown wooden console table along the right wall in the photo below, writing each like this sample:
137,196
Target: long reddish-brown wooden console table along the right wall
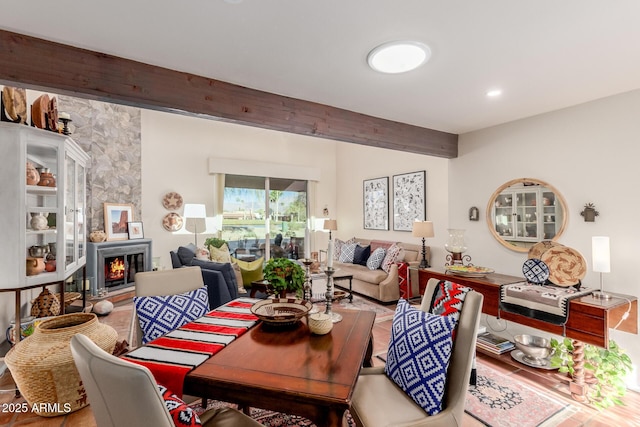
589,318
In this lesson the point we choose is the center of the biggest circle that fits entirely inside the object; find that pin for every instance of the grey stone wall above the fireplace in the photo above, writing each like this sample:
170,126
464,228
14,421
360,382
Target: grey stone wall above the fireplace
110,134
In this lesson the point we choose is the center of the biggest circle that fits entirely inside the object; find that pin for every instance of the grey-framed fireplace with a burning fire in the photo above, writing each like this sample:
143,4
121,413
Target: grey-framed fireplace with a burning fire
114,264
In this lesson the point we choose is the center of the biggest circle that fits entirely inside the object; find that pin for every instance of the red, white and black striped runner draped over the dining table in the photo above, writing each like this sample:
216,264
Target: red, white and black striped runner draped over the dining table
172,356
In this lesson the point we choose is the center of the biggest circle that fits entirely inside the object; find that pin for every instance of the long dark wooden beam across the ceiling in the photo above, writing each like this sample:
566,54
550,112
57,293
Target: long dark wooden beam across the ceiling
41,64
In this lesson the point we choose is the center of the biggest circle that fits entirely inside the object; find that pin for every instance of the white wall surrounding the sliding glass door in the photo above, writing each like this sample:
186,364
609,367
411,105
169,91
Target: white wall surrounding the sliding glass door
175,153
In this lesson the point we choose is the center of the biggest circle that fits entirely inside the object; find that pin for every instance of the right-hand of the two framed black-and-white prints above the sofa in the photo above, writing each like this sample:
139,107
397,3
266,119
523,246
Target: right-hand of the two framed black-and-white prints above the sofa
409,200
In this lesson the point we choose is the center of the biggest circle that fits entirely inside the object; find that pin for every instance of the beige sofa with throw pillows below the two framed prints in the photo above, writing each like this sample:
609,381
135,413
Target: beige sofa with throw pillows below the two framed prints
377,283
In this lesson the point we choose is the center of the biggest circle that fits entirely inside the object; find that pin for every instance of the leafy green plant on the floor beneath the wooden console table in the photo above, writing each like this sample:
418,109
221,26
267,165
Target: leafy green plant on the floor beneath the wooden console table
605,370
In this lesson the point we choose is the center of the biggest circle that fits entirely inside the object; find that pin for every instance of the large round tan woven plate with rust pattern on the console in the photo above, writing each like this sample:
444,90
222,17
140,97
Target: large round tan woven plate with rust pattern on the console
567,266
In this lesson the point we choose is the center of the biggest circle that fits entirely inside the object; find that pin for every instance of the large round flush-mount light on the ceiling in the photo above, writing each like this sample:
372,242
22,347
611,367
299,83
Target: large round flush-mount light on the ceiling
398,57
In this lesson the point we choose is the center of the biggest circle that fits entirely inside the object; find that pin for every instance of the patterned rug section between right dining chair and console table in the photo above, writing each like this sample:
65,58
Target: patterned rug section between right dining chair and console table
500,401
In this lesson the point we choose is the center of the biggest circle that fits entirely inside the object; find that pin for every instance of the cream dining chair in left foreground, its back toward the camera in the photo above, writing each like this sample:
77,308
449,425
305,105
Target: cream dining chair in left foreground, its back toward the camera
123,394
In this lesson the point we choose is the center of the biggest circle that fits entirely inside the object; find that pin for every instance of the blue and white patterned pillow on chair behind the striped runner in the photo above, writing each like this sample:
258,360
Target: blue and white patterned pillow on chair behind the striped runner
159,315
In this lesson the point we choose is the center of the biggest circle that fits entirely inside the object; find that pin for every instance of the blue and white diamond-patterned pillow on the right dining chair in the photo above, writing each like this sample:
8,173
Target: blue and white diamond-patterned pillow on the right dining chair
419,353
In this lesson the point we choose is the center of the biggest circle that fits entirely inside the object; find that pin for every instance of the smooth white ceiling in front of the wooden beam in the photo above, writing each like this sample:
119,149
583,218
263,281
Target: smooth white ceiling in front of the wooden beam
544,54
